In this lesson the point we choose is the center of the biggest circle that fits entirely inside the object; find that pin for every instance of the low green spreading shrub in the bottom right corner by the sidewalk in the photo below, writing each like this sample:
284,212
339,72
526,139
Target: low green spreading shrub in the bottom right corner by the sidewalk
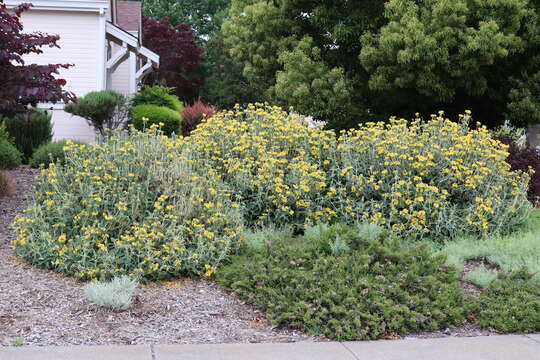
509,304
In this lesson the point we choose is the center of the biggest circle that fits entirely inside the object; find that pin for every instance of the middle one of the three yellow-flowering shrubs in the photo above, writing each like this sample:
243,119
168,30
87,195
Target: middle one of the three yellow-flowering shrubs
276,166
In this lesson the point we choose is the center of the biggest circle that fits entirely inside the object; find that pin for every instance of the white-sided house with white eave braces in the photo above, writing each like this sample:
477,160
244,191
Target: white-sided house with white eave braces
101,38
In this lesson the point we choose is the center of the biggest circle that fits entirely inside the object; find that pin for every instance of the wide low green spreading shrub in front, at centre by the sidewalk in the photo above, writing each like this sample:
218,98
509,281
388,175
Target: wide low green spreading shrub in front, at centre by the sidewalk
376,288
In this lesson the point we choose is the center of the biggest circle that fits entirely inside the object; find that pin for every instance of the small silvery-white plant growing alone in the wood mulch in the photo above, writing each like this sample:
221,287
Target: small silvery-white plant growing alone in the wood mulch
116,294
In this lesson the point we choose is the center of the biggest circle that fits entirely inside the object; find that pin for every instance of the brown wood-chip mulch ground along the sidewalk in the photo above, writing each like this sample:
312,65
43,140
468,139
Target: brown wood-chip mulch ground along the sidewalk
44,308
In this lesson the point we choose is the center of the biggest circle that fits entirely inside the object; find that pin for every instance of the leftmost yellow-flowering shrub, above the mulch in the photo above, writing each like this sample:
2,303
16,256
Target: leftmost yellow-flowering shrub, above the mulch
135,206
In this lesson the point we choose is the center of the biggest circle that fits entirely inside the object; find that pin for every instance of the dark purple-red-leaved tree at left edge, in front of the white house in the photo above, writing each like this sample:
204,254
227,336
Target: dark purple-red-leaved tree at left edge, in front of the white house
22,84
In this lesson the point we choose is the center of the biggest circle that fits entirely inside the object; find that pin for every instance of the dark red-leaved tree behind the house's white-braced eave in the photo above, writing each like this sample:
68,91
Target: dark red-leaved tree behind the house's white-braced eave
180,57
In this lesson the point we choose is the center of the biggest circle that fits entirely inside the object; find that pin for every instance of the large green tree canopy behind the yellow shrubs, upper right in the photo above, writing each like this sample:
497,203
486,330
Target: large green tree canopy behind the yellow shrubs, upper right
348,61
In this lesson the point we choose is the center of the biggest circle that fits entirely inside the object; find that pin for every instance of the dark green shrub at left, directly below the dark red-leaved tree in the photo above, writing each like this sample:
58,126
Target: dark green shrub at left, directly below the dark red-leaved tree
29,131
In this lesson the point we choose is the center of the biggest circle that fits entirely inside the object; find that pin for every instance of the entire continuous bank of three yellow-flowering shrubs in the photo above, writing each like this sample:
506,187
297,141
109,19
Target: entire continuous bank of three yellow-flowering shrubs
151,206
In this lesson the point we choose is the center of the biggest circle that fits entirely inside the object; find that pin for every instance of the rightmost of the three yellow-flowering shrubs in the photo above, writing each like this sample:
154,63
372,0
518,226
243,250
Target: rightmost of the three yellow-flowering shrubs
435,178
